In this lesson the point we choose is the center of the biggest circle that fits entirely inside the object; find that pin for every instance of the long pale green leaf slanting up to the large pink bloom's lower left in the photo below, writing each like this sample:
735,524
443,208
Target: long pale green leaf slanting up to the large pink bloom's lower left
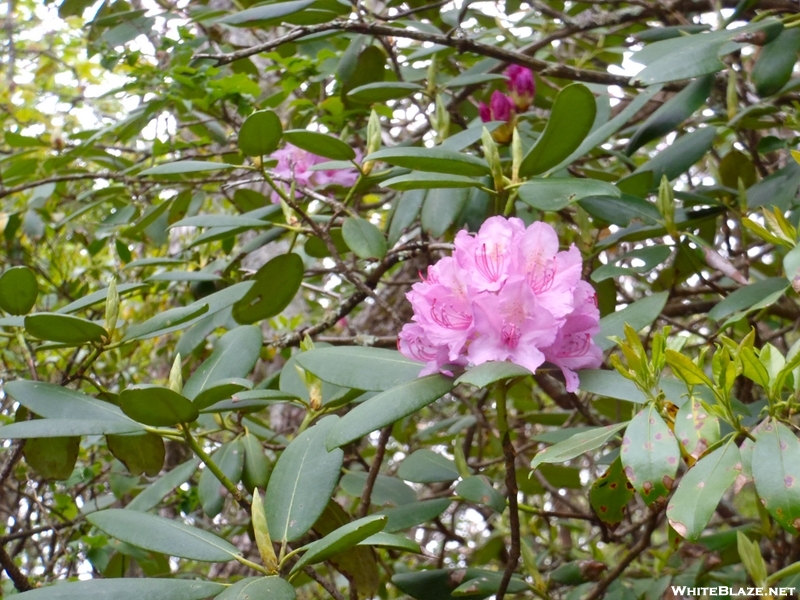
388,407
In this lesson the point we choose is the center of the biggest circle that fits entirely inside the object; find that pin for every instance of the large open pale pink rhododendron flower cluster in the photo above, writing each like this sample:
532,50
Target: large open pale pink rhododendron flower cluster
507,293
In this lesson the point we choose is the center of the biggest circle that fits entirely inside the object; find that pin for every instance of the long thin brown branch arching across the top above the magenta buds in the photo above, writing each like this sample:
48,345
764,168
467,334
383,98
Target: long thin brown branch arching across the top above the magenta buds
544,68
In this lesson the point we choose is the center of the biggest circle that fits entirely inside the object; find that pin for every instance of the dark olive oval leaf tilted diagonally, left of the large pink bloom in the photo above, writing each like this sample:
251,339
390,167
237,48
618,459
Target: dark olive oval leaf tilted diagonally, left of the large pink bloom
274,286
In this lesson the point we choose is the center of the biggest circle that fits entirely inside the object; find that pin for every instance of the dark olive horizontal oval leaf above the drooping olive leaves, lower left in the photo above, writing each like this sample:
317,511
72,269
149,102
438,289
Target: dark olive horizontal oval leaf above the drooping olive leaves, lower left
157,406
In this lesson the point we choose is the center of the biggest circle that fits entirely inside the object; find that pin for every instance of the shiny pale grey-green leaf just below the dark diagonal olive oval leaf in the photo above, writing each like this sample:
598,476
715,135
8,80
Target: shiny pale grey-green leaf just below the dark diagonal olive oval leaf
234,356
